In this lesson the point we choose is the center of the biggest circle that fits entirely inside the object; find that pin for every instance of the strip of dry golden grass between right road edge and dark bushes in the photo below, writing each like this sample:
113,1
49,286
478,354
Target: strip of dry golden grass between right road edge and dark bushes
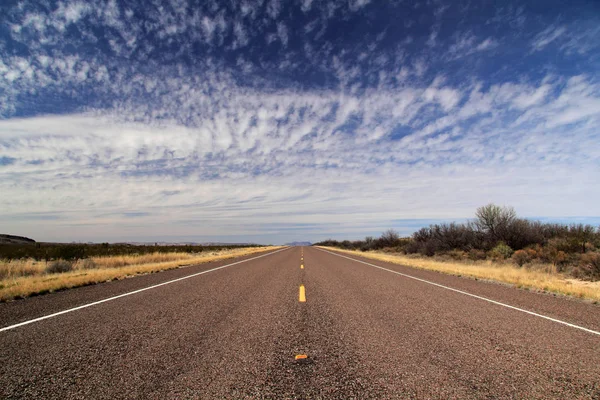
537,277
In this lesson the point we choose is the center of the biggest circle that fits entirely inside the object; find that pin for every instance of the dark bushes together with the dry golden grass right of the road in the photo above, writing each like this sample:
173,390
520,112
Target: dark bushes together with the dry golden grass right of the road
498,245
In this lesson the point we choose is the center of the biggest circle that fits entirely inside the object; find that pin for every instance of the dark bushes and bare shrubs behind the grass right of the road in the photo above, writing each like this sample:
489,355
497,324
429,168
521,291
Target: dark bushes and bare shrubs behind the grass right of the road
497,233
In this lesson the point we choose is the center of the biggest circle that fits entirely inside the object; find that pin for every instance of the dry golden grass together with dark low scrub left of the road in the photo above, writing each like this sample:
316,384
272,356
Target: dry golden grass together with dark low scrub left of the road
82,265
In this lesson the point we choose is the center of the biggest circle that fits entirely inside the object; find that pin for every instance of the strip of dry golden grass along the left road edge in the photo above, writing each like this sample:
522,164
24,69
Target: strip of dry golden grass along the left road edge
23,278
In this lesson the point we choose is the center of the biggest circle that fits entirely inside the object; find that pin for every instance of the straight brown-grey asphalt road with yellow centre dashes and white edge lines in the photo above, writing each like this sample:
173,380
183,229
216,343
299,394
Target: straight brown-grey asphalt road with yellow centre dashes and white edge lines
241,331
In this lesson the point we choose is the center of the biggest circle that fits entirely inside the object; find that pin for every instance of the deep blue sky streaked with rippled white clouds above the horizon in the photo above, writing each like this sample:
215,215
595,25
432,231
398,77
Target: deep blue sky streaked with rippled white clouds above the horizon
270,121
